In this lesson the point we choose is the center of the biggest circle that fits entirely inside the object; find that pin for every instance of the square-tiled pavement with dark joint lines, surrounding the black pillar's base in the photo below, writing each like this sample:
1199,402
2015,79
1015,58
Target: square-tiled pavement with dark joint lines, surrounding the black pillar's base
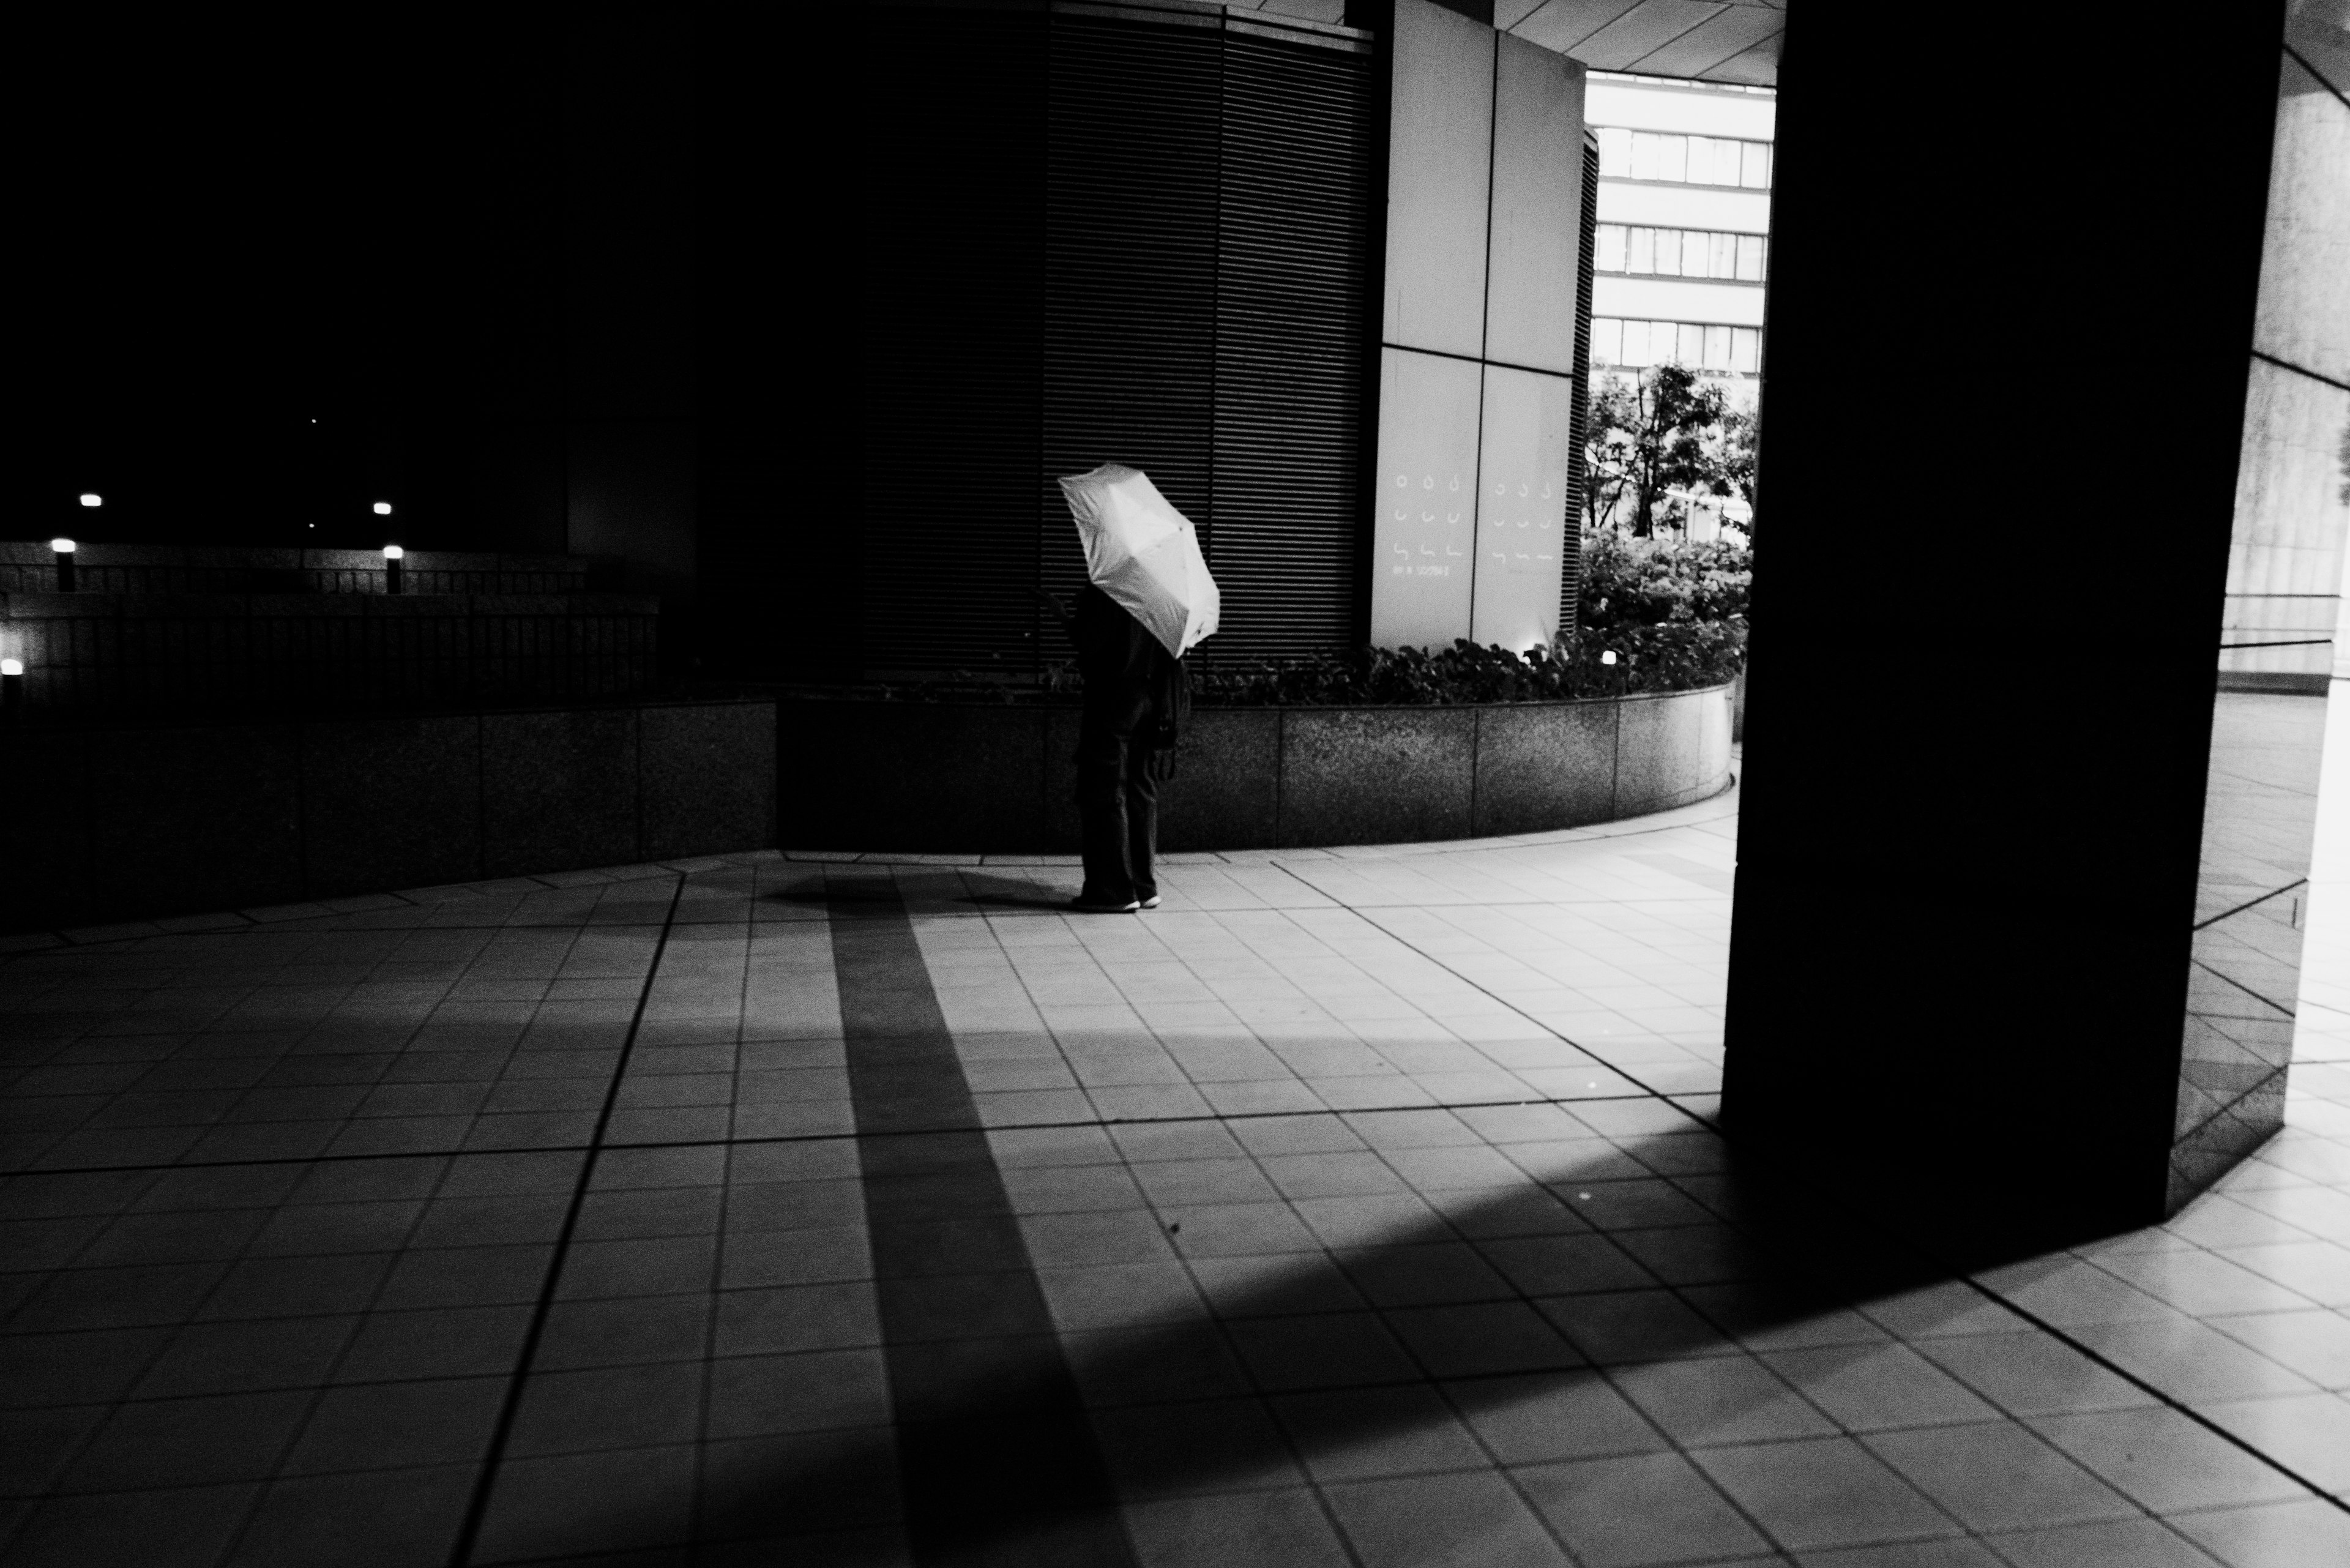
767,1209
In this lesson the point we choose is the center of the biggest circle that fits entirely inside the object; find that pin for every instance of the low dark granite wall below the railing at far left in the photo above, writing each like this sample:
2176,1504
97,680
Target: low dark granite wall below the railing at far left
105,824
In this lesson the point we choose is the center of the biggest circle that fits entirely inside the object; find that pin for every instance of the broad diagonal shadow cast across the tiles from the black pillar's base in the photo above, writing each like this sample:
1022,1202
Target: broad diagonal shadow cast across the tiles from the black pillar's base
1505,1301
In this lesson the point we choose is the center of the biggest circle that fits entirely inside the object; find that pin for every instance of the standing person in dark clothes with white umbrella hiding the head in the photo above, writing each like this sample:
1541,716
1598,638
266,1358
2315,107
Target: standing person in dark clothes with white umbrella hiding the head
1146,605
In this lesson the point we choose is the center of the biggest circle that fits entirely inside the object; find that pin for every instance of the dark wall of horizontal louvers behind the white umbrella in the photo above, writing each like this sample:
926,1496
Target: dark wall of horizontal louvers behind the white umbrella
1169,243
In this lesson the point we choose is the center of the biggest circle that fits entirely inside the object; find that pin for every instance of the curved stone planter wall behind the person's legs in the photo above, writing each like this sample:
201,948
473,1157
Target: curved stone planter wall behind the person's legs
969,779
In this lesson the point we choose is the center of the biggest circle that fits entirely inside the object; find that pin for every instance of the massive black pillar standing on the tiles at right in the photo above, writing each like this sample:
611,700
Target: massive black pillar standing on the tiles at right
2013,307
